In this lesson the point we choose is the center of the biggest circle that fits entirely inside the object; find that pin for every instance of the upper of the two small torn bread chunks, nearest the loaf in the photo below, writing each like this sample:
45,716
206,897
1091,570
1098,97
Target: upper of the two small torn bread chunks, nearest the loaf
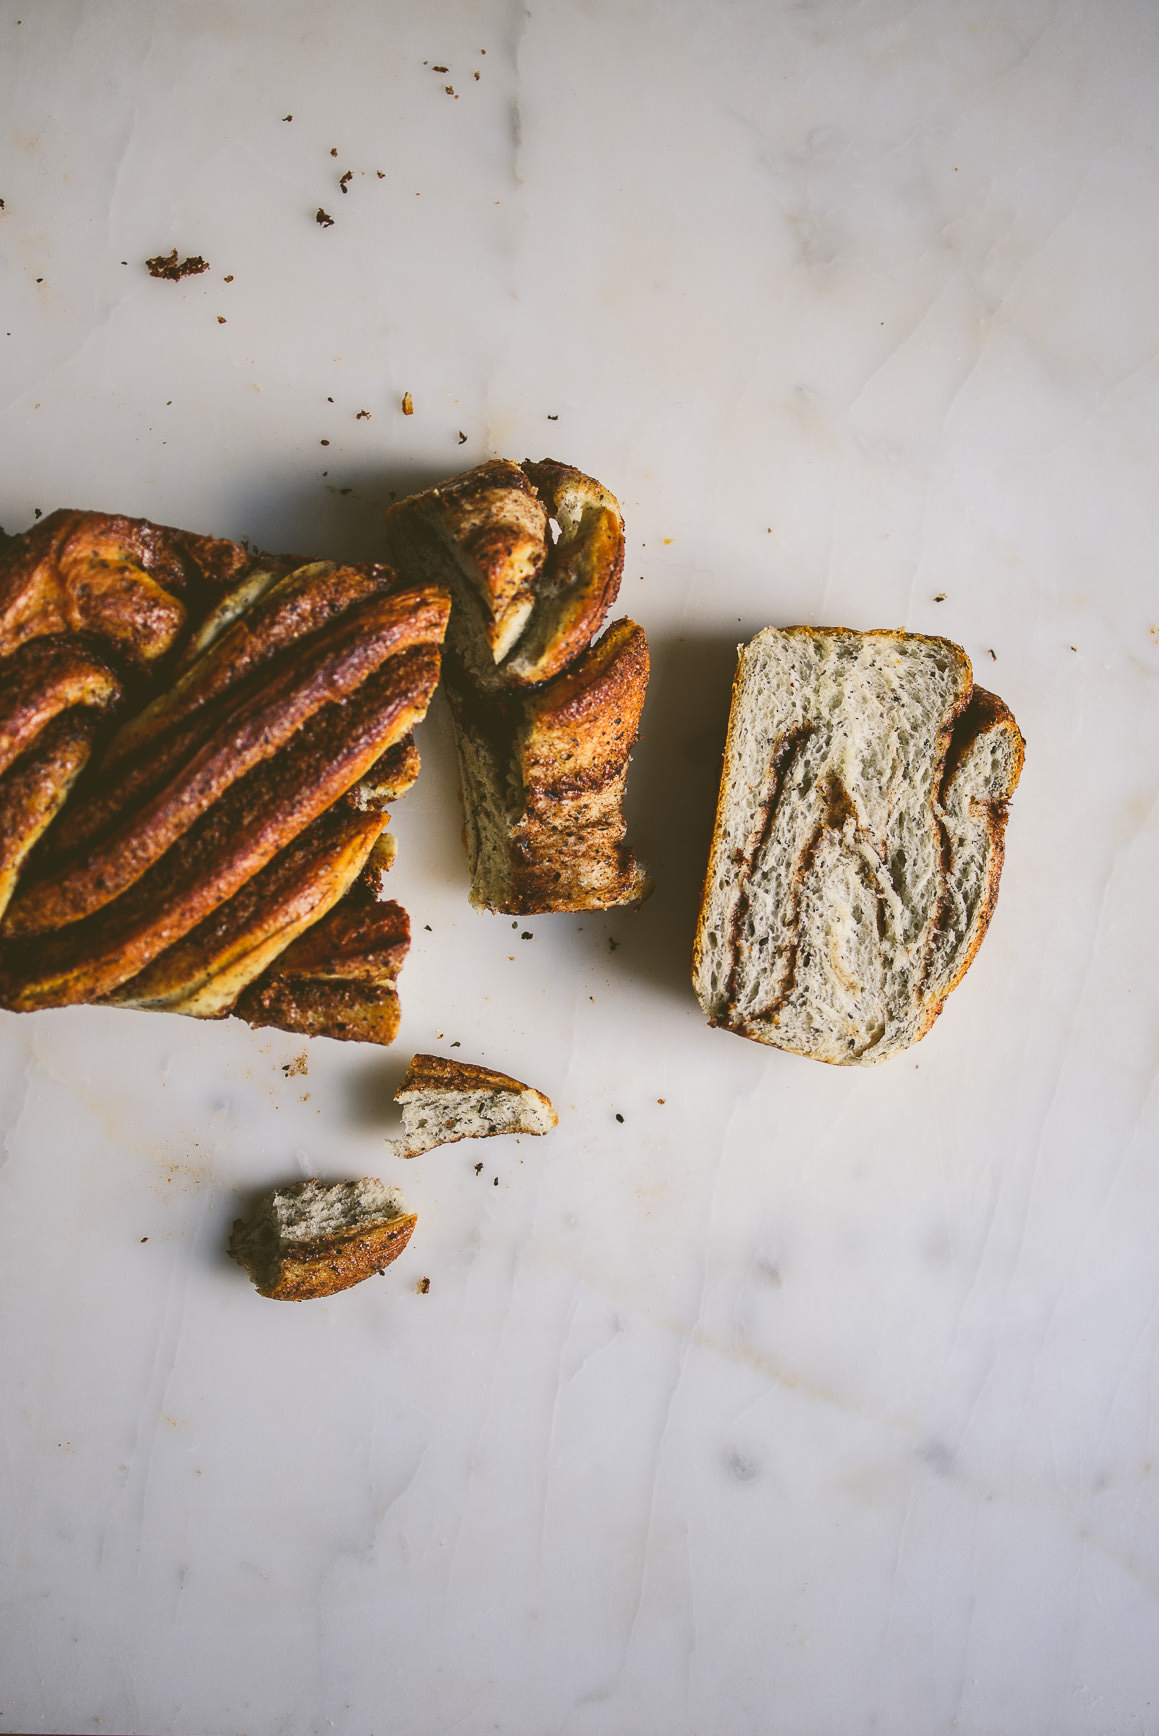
452,1100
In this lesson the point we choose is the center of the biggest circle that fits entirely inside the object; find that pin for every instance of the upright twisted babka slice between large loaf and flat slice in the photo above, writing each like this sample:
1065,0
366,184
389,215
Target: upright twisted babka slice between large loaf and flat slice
544,718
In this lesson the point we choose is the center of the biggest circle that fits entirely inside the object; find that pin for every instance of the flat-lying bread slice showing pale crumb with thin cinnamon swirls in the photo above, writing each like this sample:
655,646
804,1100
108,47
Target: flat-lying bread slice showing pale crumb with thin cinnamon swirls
858,843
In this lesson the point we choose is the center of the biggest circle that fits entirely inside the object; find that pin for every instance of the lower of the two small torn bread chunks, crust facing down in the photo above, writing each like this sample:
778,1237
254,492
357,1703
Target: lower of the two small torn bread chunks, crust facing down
313,1240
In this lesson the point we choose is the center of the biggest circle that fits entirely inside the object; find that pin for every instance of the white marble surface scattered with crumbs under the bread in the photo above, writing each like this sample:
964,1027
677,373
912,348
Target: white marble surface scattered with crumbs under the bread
802,1402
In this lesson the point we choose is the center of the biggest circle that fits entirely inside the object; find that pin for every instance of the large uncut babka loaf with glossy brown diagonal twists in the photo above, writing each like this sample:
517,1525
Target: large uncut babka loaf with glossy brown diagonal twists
197,754
